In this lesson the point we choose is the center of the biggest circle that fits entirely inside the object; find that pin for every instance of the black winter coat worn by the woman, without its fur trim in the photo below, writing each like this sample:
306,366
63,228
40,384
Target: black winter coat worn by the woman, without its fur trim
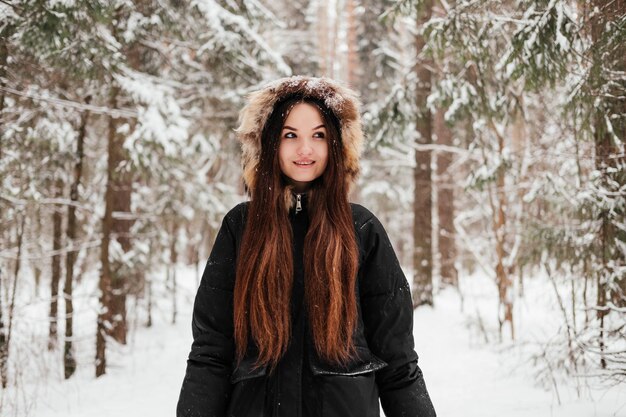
303,385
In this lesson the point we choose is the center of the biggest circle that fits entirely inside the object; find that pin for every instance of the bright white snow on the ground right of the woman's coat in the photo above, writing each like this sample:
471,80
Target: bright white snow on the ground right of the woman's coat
468,379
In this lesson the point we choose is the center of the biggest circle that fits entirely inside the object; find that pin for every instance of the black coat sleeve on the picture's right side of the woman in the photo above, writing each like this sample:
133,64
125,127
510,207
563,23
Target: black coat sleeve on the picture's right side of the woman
387,312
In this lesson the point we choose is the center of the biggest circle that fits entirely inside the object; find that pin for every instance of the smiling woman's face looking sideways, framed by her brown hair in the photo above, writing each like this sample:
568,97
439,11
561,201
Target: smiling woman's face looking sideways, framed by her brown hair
303,149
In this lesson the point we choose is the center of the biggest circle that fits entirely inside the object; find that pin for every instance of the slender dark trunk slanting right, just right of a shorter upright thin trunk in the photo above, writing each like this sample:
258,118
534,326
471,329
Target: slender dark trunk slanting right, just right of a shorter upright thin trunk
69,362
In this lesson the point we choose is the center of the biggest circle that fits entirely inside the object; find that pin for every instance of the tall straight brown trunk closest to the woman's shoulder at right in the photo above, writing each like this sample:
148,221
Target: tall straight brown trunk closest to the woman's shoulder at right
422,206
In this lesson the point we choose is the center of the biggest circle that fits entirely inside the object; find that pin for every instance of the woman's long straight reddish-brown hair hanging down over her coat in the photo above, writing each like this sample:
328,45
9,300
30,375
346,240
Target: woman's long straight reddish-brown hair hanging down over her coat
265,270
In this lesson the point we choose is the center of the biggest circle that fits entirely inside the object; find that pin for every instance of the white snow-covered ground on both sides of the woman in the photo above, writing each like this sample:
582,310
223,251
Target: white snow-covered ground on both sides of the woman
468,371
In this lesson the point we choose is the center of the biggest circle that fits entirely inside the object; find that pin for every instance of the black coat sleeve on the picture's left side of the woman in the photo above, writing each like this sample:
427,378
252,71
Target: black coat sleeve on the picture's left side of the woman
206,387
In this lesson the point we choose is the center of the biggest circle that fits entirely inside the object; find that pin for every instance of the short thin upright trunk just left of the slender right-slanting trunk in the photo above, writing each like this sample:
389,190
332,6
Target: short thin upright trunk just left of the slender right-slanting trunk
57,220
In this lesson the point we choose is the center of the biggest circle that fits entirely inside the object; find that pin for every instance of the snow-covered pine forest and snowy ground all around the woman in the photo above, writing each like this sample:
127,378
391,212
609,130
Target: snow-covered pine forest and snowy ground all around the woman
495,158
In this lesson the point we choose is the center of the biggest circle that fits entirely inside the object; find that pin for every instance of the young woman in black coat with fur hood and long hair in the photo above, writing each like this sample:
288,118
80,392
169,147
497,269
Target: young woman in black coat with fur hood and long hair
303,309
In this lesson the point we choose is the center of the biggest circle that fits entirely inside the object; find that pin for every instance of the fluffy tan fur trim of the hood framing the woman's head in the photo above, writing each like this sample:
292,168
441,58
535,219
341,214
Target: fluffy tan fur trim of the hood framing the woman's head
343,101
